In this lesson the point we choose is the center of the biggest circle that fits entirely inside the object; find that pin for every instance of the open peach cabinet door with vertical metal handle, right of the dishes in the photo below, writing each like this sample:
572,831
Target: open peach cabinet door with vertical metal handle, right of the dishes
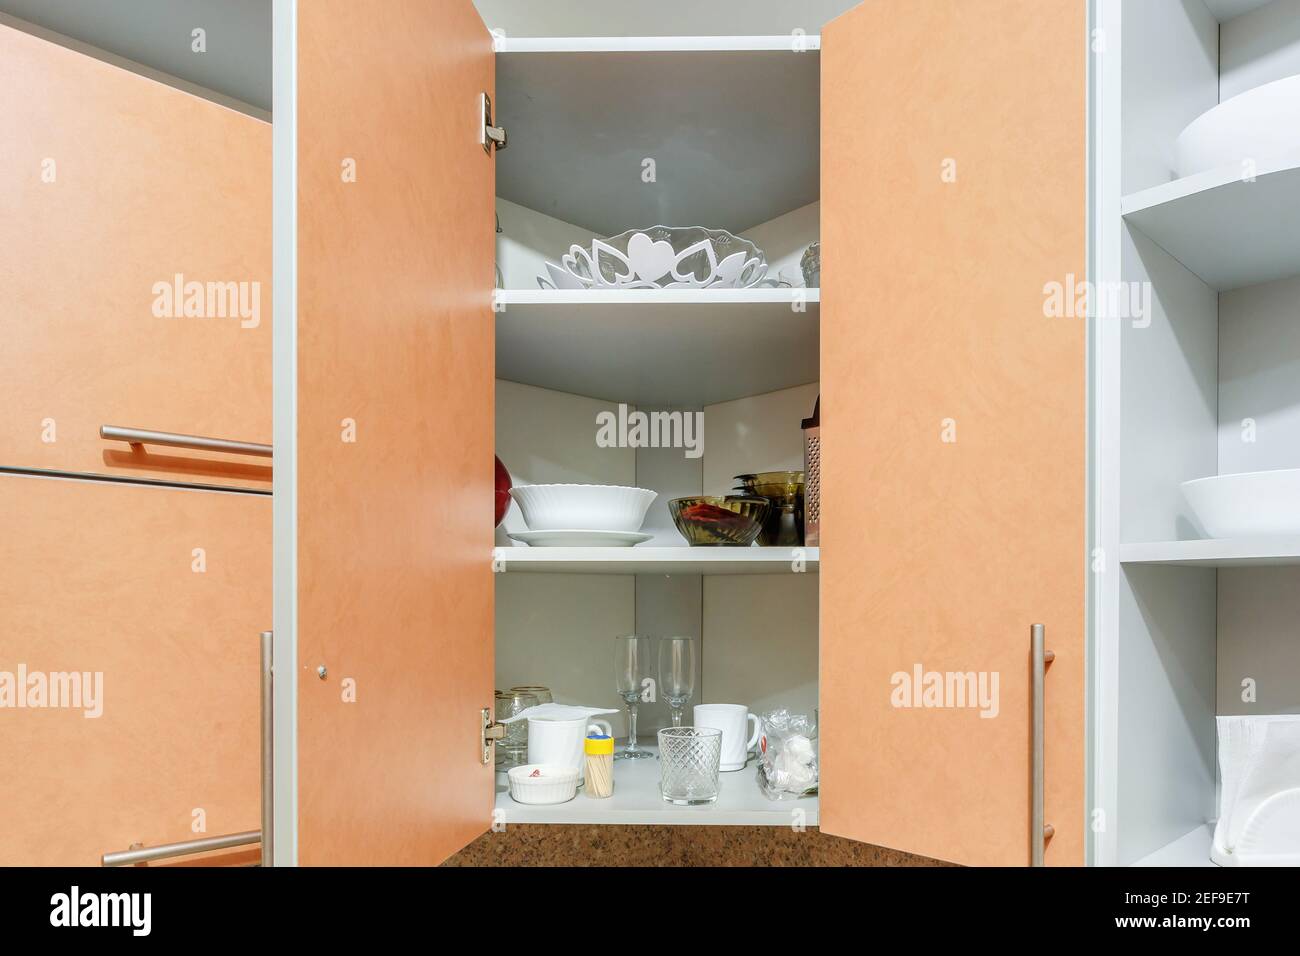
954,422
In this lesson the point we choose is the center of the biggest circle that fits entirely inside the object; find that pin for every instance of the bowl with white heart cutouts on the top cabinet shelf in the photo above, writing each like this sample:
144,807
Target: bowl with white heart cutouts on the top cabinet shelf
661,258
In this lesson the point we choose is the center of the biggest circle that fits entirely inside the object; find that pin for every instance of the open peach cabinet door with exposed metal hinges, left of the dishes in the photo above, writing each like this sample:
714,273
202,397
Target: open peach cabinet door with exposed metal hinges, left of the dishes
396,352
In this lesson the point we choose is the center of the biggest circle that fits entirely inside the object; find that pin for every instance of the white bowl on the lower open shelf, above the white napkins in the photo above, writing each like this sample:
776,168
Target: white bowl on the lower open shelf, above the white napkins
1258,503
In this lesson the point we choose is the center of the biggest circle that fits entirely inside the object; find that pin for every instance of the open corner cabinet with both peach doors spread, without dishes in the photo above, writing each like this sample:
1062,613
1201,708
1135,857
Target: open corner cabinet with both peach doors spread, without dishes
943,223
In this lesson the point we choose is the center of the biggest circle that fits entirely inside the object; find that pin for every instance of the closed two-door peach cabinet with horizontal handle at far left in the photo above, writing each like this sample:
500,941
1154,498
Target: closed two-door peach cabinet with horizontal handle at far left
136,579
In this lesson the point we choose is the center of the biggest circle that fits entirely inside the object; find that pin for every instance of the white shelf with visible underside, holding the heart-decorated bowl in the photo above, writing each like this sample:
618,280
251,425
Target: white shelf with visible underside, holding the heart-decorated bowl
670,348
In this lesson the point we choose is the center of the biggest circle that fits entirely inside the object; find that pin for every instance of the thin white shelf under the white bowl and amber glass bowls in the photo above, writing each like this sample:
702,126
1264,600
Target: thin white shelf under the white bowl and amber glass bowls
666,561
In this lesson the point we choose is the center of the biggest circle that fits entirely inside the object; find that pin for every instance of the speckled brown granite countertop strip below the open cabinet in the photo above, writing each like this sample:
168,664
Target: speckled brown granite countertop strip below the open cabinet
562,845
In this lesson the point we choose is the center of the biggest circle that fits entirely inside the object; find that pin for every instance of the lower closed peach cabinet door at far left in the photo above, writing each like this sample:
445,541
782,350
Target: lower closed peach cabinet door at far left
149,602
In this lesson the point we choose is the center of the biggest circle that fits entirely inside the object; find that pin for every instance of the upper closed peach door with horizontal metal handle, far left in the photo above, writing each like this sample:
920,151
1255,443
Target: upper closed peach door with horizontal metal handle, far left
114,188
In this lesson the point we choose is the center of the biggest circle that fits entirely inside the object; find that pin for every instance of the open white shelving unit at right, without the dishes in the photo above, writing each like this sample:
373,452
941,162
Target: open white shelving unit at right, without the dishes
1206,384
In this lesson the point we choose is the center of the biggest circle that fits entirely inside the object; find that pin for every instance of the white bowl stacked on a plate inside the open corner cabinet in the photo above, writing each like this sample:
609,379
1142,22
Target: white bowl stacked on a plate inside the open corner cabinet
575,516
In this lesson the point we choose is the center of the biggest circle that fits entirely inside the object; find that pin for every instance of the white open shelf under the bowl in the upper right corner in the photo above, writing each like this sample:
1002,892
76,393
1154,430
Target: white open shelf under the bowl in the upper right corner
1229,232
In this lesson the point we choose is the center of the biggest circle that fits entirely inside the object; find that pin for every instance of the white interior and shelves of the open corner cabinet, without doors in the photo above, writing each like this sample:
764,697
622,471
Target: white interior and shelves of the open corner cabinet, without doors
722,136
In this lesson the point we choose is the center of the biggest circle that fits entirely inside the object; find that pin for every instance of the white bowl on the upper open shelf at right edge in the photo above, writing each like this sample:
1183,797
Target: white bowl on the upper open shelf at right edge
1262,126
